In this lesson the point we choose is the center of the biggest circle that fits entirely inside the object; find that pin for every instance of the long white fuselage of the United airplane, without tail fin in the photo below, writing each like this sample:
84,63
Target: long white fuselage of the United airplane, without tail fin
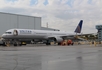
33,34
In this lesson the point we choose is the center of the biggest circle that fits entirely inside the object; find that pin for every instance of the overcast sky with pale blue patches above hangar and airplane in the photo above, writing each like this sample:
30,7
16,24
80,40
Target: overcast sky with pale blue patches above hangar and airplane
59,14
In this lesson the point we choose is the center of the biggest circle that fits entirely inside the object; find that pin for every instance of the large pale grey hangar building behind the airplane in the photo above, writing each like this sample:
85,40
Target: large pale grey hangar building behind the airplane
9,21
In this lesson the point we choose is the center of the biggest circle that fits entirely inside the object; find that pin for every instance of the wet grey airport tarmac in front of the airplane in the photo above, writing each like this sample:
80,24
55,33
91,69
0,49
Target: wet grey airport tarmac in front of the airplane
36,57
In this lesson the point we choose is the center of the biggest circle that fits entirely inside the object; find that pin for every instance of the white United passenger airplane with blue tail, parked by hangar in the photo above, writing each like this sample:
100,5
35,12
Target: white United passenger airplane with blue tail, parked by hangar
16,35
